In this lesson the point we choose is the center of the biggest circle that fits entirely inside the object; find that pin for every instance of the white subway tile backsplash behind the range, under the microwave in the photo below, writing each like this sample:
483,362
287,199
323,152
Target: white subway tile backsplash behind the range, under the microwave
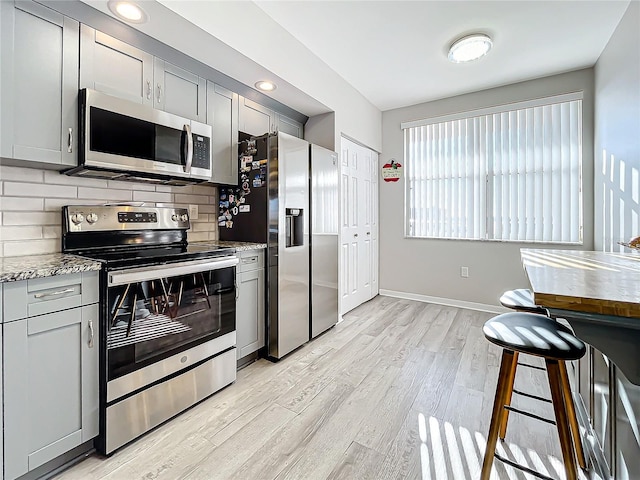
31,200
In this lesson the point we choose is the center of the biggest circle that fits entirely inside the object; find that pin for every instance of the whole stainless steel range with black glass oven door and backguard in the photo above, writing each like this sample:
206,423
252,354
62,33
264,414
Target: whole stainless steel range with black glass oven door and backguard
167,326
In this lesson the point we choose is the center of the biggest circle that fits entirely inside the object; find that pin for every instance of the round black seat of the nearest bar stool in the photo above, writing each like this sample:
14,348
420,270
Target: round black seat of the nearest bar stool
533,334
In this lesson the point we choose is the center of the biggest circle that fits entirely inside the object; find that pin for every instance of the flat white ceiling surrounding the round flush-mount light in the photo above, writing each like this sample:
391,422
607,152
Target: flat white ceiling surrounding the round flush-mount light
395,52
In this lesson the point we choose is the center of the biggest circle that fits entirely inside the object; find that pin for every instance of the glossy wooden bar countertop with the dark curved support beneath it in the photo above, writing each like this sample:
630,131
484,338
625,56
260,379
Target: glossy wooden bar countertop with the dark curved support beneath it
598,293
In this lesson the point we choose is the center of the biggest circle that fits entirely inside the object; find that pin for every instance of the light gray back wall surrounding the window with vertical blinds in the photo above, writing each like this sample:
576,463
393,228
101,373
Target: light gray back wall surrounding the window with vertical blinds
432,267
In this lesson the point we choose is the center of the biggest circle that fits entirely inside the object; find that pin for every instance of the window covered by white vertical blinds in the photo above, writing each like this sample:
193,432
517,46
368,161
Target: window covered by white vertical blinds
510,173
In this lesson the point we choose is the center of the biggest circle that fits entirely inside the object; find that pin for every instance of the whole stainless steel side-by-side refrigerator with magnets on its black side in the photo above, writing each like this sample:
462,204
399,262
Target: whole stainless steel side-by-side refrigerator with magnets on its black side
288,198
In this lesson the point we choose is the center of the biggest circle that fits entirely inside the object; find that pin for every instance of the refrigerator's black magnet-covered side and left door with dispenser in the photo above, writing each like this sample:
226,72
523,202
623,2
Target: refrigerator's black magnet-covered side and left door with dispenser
271,205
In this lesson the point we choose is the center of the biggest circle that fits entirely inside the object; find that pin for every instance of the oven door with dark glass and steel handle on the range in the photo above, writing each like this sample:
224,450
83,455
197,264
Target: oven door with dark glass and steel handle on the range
157,312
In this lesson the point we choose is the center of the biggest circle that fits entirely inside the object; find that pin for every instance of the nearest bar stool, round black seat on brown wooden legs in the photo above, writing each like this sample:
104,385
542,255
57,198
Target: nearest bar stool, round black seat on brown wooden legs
538,335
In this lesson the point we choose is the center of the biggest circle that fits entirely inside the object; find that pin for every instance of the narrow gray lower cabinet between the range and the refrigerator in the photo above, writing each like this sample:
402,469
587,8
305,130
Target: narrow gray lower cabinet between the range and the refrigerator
250,305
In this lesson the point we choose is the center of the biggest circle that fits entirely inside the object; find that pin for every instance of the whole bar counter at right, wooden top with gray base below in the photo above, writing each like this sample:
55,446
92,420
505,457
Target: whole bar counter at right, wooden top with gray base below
598,293
